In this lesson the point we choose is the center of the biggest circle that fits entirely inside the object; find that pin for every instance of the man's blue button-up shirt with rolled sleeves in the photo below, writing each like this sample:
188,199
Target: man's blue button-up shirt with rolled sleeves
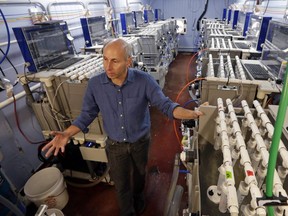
125,109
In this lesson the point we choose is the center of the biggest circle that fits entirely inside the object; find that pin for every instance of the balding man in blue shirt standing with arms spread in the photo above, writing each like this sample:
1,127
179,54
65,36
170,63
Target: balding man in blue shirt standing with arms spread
123,96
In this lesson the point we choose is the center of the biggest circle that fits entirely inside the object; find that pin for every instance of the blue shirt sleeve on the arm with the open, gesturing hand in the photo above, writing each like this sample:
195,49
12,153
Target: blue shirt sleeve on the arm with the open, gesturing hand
89,109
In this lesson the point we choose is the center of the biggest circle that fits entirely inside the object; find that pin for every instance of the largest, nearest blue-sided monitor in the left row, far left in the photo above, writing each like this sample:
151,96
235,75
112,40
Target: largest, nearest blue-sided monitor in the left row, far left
43,45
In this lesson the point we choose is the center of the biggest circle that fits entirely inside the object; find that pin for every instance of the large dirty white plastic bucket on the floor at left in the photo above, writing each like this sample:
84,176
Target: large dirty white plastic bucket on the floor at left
47,186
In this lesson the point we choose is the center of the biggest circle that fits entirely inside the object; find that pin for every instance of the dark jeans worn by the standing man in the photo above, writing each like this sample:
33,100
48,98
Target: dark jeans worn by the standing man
128,160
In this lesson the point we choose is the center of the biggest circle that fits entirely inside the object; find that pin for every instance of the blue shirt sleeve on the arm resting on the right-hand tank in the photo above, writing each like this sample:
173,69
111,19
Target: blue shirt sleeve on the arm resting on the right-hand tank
157,98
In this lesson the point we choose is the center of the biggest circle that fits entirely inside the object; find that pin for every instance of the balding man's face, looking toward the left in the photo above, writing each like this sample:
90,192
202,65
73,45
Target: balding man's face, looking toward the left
115,62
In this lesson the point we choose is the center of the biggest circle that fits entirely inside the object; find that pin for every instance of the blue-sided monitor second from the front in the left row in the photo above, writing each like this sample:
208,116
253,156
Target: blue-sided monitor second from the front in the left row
94,30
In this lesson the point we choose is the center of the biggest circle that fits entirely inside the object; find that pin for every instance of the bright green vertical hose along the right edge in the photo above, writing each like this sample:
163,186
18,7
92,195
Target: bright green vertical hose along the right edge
275,141
